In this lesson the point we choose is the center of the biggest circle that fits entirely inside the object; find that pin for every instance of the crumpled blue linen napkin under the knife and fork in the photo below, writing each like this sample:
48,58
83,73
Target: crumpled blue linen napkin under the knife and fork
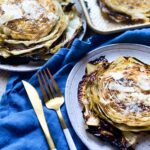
19,127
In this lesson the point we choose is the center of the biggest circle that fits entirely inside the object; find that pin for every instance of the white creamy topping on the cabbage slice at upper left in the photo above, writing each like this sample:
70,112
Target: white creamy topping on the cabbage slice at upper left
29,9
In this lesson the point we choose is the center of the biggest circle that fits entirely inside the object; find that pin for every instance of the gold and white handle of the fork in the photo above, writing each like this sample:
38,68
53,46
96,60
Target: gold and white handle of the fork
66,131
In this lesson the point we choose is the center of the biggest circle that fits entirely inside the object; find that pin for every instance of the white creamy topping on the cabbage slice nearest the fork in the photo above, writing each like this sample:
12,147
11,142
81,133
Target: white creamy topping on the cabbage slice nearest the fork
128,94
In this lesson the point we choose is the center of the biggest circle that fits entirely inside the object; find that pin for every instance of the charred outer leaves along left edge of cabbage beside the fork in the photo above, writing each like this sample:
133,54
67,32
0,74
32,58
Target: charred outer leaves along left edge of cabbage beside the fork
98,124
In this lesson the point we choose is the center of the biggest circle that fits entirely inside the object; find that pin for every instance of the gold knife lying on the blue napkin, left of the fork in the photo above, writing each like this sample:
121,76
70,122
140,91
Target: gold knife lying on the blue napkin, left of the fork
38,108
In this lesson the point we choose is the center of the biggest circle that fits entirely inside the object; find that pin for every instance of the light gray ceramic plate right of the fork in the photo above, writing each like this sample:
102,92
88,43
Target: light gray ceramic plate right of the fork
74,108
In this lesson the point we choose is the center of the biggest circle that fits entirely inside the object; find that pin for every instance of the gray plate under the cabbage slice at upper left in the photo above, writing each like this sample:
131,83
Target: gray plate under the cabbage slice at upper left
35,66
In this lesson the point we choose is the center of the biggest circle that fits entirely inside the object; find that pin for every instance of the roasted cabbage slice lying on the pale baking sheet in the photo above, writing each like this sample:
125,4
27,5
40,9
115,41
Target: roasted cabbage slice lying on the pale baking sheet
126,11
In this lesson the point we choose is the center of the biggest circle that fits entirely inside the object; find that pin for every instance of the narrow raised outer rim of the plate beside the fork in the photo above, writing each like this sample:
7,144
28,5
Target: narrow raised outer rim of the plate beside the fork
67,87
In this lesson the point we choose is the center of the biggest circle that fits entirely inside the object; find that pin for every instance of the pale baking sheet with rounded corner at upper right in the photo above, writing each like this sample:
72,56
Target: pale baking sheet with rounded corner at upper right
104,25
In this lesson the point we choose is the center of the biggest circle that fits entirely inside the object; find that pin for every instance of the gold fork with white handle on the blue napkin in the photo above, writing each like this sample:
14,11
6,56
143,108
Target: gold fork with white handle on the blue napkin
54,100
